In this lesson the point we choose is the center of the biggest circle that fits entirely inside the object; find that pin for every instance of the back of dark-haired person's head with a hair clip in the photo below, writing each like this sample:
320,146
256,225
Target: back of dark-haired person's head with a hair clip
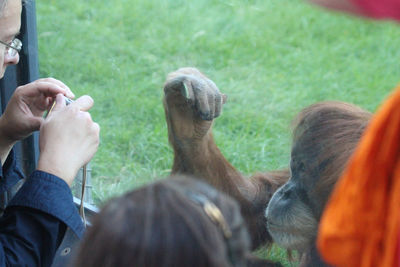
163,225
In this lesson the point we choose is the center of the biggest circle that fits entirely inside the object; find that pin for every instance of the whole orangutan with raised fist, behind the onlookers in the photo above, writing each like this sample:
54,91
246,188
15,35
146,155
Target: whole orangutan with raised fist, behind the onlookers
325,135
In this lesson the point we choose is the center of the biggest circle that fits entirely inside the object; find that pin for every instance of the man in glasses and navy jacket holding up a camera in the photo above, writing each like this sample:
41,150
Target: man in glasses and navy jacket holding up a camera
35,221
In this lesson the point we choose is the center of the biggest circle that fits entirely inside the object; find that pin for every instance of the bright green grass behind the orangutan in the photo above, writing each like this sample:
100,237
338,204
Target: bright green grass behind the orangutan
271,58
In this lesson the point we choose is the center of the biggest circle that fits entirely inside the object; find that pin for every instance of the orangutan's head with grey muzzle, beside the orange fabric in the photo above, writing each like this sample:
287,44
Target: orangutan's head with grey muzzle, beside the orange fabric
324,137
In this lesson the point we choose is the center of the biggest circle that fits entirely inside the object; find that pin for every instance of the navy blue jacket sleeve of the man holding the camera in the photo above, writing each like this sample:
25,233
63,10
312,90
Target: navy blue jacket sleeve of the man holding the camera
35,221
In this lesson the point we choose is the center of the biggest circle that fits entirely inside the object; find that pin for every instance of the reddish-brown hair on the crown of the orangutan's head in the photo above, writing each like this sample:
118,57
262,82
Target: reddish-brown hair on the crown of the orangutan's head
325,136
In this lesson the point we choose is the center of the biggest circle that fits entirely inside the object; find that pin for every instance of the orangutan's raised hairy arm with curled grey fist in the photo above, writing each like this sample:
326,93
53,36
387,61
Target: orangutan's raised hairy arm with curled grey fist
191,103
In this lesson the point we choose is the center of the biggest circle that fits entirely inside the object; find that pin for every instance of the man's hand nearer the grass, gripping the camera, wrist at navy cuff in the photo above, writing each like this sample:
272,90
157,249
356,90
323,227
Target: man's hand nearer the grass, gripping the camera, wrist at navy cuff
68,138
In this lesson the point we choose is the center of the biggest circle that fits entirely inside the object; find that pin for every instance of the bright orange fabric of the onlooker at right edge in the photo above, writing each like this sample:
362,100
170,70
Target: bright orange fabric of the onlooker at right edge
360,225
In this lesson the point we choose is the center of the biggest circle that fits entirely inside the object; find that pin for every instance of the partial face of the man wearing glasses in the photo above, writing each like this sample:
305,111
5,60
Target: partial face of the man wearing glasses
10,23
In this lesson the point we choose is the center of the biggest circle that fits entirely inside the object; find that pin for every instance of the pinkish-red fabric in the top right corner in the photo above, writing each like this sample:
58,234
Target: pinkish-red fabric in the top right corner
380,9
